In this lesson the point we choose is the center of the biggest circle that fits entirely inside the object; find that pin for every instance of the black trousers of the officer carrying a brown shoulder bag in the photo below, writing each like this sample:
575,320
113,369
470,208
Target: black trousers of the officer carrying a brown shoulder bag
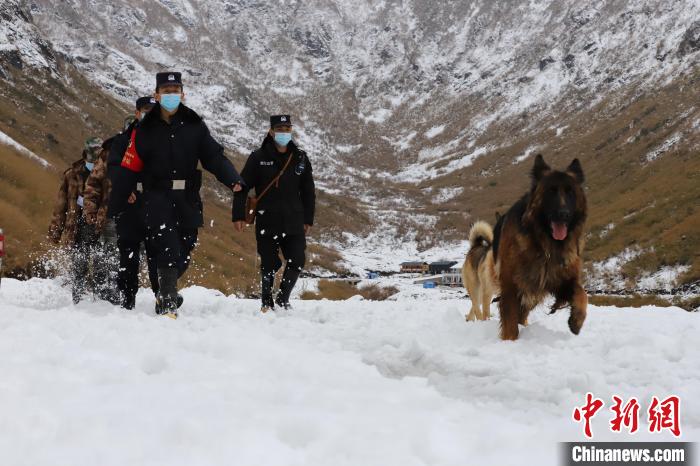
293,249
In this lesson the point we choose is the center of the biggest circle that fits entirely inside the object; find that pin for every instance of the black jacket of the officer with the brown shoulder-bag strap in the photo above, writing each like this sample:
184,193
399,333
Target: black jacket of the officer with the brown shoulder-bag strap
285,208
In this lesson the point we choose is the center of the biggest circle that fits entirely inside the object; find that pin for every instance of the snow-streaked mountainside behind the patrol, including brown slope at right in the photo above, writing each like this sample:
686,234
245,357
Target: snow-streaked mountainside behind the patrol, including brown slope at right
424,115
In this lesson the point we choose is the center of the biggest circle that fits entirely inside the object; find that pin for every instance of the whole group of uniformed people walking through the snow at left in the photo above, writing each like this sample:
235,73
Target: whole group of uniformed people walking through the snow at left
141,187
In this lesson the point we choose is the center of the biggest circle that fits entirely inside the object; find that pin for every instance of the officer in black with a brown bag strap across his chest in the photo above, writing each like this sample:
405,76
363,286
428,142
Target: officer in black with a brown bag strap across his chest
285,214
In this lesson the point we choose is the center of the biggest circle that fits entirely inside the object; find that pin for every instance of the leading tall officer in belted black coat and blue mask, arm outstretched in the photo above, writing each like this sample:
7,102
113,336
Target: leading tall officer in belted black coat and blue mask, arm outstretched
170,142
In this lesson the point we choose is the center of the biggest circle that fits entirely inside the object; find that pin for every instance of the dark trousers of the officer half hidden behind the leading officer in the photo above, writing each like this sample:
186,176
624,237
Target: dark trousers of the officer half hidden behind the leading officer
130,263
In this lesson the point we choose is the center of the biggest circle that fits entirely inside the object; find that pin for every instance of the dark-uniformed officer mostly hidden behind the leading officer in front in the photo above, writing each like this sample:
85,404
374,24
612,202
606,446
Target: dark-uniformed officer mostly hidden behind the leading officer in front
131,229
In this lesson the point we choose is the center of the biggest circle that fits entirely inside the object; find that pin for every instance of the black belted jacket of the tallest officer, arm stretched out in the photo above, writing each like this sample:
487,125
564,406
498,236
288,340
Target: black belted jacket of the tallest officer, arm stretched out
172,151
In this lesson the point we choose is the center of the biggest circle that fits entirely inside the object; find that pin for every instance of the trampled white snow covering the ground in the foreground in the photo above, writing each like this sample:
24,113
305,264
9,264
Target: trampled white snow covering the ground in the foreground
402,382
